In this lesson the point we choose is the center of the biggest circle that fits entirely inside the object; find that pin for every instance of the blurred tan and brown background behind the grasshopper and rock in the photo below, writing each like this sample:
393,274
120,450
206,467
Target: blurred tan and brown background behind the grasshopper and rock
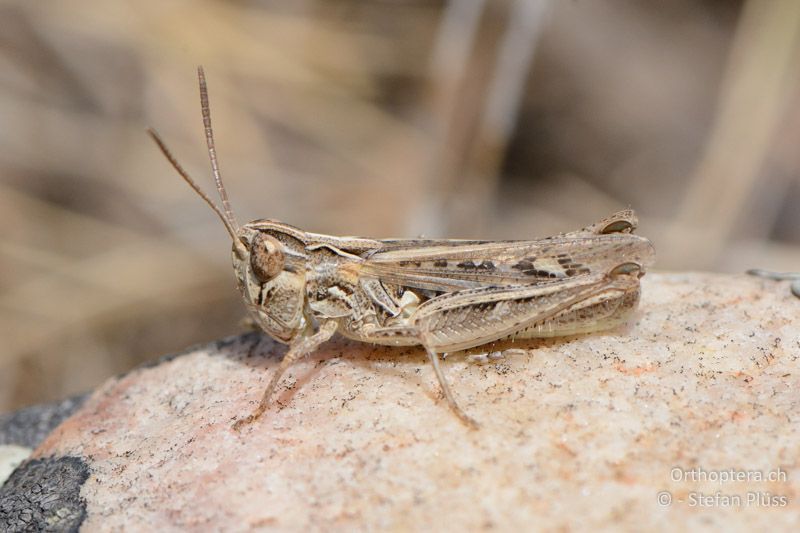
461,118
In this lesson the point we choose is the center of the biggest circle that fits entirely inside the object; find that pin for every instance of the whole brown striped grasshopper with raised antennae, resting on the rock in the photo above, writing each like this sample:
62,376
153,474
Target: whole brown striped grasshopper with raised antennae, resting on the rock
445,295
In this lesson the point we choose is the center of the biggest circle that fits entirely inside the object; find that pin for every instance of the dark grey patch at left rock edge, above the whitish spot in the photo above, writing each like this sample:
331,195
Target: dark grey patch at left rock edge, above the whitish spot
28,427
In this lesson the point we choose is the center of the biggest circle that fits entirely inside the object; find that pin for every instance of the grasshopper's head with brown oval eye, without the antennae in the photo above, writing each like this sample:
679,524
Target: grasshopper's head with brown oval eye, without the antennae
270,273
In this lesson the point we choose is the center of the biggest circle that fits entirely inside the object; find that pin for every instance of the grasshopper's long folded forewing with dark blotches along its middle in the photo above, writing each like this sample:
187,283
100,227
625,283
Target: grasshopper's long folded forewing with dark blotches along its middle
456,265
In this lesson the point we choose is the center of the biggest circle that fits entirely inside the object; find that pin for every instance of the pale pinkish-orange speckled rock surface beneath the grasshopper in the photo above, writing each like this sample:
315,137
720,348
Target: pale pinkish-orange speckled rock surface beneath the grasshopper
580,434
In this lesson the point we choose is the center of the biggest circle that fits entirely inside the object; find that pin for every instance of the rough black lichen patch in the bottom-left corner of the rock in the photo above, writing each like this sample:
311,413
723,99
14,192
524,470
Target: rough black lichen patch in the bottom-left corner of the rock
44,495
